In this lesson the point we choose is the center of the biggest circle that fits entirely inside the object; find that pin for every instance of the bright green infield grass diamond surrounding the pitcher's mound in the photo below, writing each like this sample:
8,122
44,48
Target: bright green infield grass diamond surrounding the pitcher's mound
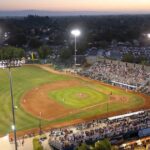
78,97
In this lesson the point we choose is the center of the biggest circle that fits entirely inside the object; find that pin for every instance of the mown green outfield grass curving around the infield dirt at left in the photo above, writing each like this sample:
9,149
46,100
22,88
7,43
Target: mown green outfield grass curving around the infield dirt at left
24,79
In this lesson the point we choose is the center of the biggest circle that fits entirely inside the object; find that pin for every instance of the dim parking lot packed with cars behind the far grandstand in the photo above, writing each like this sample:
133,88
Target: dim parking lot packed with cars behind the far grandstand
117,52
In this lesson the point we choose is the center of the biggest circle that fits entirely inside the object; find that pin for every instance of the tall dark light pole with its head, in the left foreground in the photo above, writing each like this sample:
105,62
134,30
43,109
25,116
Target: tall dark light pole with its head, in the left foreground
12,64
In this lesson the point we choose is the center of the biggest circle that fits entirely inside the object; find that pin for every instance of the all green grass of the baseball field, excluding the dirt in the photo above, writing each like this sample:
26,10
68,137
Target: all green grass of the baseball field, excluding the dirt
28,77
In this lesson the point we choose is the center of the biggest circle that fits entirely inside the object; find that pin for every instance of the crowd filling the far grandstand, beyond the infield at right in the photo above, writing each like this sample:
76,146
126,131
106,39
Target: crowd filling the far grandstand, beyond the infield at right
120,73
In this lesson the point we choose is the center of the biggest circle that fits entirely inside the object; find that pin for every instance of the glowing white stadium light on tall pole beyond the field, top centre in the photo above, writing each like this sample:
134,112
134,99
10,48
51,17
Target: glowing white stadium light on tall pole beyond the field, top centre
75,33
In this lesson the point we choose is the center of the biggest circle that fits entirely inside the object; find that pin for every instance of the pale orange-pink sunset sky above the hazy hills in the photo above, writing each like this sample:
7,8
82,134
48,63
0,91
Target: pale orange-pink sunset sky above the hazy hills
76,5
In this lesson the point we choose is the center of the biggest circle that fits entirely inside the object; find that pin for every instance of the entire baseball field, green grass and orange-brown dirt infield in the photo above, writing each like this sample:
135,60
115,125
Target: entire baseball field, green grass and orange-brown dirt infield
55,99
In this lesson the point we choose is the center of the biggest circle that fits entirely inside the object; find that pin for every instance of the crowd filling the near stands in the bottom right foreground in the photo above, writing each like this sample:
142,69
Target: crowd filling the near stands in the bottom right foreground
115,129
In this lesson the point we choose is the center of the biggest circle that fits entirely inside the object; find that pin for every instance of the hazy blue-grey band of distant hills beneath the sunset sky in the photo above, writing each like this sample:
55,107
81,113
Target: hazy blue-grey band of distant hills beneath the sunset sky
61,13
